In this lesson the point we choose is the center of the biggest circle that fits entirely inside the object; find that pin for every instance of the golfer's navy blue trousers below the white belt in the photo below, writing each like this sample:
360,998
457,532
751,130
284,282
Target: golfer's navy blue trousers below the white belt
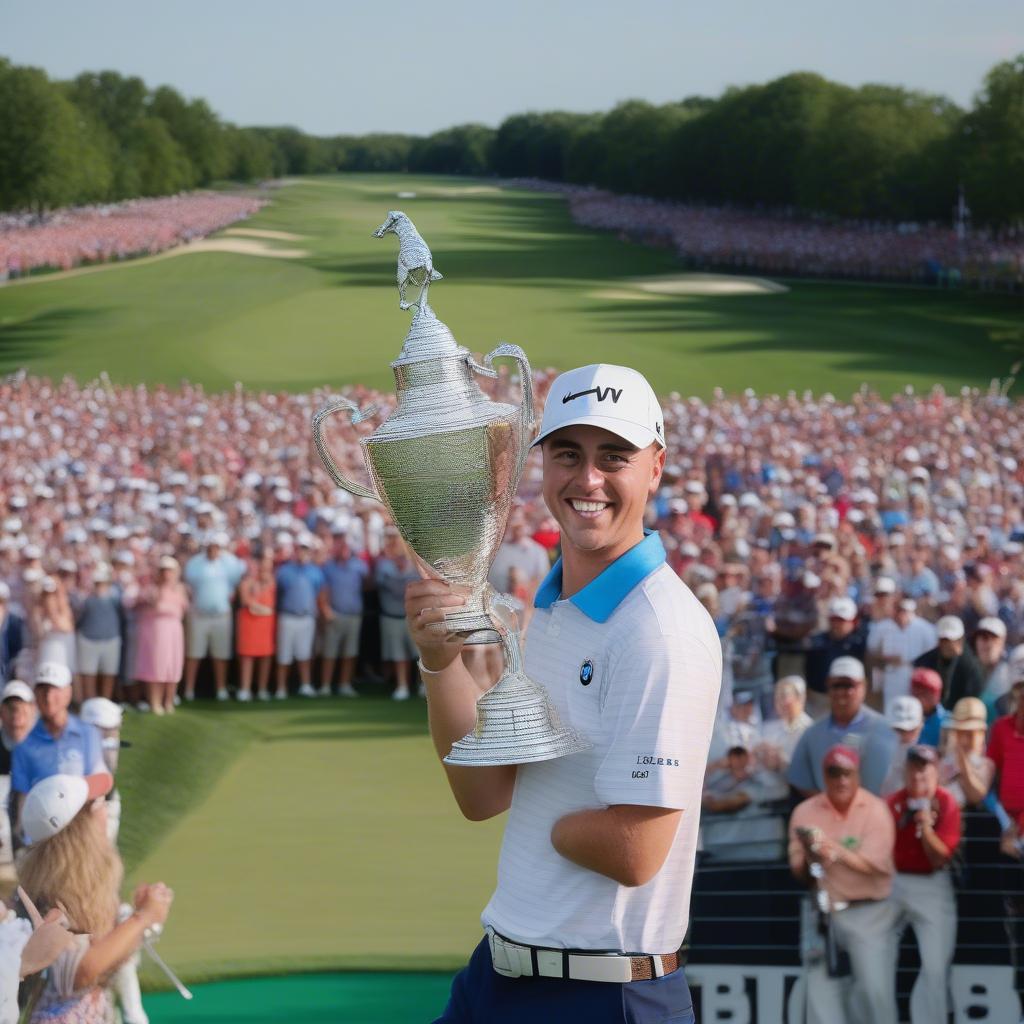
482,997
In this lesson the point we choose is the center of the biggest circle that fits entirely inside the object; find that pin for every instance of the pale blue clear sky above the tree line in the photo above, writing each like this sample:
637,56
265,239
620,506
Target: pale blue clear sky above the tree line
334,67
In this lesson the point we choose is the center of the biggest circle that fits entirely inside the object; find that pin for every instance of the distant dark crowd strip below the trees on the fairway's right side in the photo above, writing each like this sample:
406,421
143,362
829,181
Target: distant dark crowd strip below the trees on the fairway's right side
746,241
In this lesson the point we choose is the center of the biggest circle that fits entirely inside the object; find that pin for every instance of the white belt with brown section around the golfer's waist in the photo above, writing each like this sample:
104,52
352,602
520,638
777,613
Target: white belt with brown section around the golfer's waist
513,960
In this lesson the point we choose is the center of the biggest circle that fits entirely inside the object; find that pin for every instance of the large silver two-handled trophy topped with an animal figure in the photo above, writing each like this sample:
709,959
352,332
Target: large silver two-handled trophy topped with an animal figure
447,464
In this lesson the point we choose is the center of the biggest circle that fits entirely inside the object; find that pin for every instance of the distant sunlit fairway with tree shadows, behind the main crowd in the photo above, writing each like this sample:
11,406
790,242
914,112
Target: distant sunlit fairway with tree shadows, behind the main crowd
517,270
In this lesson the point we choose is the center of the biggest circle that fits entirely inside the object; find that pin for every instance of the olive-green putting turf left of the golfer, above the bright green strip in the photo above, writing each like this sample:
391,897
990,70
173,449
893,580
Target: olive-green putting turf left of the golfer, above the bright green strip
328,842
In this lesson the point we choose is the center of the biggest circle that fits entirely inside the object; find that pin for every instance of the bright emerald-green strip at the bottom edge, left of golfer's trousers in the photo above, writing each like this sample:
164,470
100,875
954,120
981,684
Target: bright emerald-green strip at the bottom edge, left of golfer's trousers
313,999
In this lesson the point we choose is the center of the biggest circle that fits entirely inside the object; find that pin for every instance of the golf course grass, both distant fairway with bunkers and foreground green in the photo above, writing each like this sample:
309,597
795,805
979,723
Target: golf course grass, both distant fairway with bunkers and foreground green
309,838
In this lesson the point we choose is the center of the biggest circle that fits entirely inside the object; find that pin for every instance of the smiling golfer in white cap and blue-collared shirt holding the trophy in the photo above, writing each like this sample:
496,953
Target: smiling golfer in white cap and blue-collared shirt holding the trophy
598,861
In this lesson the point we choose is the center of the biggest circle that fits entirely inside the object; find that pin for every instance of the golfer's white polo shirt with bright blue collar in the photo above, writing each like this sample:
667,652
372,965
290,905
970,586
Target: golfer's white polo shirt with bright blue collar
634,663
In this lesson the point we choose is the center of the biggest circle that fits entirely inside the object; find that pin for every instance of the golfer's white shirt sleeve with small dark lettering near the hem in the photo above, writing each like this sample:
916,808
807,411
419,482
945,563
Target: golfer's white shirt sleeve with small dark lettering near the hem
661,714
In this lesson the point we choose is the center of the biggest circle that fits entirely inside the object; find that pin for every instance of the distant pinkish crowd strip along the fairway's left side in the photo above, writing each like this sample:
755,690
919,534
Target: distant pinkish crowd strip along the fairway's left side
69,238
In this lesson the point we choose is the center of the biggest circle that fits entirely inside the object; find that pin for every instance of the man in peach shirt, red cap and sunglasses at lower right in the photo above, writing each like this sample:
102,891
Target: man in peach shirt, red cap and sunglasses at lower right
848,834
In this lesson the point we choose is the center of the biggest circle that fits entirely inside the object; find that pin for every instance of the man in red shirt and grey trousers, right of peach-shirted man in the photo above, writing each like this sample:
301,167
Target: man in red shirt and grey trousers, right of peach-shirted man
928,833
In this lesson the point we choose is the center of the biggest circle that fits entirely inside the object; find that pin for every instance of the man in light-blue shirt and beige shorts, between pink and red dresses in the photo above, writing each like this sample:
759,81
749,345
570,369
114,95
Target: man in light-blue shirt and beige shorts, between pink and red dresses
212,577
